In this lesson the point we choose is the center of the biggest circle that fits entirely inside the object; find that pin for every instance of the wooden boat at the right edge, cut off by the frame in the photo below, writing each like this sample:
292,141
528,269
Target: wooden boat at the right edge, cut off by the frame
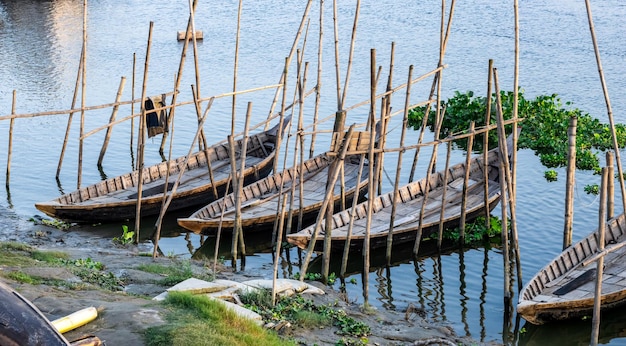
565,288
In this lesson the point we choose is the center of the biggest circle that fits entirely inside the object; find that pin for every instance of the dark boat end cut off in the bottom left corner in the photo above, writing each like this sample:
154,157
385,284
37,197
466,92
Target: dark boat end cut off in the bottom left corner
21,323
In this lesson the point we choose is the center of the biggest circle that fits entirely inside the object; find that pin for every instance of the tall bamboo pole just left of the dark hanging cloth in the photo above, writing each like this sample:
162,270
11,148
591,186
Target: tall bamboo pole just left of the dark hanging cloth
142,136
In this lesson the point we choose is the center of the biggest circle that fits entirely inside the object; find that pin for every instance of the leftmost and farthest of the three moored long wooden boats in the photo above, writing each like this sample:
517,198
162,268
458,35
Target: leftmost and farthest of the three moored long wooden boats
115,199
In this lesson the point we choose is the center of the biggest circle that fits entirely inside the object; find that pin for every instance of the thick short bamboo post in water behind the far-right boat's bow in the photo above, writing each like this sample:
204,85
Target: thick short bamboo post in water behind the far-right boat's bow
569,184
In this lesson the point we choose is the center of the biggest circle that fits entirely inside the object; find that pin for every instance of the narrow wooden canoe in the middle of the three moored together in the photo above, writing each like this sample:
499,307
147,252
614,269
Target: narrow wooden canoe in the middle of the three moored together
259,201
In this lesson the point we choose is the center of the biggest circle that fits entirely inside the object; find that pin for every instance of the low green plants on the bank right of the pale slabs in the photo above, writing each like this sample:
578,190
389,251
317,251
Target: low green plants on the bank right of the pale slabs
303,312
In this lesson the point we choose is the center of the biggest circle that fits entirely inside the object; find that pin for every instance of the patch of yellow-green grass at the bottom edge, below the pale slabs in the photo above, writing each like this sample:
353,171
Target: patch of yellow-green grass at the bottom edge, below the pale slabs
197,320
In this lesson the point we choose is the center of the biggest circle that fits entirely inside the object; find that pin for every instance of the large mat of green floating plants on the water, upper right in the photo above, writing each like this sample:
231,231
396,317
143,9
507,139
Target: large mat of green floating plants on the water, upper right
544,128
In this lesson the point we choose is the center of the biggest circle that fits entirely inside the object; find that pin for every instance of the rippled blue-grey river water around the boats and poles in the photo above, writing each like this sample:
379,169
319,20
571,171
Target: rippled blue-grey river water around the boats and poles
40,44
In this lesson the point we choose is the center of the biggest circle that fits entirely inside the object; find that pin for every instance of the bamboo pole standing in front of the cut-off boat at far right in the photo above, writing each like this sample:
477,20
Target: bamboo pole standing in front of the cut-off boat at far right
597,301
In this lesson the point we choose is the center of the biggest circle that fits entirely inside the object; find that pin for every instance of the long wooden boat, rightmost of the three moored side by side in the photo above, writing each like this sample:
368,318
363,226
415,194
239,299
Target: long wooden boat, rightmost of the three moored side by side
411,198
